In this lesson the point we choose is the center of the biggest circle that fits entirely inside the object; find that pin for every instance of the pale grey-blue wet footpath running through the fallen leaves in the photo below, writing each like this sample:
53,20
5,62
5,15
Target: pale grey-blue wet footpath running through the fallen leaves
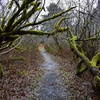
51,86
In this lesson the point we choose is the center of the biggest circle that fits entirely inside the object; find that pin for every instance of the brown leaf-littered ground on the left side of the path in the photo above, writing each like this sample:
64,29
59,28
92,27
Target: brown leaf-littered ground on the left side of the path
21,73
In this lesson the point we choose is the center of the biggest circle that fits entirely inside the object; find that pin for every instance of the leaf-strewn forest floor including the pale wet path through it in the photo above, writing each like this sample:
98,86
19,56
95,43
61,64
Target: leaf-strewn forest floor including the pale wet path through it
43,76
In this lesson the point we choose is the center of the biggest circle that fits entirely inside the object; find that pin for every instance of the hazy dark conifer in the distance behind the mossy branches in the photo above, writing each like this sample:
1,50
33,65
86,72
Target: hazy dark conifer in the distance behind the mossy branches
48,26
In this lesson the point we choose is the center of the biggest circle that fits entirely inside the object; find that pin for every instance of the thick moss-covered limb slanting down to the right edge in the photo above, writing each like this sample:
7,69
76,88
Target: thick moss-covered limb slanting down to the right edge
91,64
